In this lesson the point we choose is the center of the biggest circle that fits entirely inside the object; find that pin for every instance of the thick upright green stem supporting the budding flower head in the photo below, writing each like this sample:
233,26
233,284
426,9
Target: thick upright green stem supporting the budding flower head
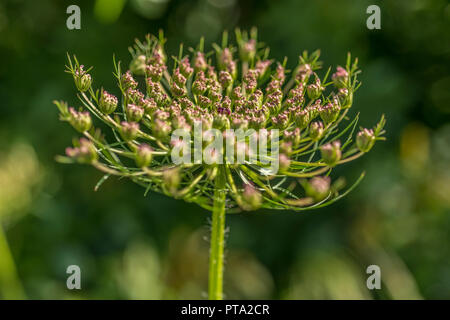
217,238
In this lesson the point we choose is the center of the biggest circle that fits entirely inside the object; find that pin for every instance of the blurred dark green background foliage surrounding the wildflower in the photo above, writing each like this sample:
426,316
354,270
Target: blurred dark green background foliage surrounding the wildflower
131,246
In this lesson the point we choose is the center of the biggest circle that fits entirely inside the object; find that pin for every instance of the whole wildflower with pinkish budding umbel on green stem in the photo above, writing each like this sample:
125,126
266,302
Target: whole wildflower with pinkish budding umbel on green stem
222,93
